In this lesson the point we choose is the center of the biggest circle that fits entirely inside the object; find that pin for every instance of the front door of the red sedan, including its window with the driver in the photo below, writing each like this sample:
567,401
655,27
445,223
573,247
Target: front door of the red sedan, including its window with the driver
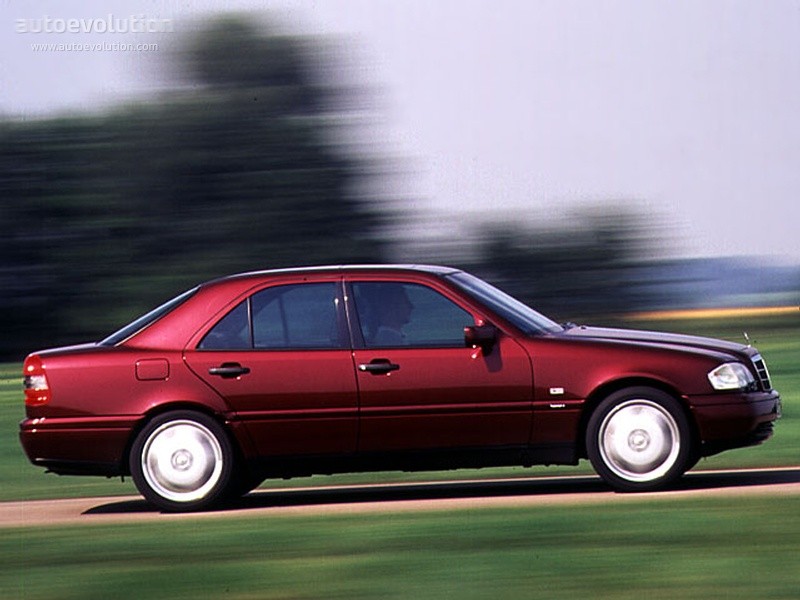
420,387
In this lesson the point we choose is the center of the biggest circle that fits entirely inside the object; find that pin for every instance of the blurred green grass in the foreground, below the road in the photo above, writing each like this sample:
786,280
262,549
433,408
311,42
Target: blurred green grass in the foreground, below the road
689,548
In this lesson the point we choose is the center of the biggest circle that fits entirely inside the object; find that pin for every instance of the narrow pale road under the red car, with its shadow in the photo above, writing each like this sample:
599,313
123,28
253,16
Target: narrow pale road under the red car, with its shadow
376,498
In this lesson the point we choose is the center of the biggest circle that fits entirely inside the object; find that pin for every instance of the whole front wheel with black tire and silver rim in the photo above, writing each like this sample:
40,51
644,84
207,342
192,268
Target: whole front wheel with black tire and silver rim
638,439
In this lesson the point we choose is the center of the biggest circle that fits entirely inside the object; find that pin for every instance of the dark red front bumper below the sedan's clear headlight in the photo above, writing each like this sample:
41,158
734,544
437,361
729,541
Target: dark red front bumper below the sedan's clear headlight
728,421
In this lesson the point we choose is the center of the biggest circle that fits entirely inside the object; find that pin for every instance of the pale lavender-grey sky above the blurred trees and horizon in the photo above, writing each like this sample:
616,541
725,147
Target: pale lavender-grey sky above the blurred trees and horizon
686,111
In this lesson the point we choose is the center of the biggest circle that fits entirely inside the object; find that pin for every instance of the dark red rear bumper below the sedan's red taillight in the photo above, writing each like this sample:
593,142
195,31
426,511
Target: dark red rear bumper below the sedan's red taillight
93,446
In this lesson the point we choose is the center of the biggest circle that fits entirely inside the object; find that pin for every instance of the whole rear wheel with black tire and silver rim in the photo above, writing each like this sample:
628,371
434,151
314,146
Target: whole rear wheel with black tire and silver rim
183,461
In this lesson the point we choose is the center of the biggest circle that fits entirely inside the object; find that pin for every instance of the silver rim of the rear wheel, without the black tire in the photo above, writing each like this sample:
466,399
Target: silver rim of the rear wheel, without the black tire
182,460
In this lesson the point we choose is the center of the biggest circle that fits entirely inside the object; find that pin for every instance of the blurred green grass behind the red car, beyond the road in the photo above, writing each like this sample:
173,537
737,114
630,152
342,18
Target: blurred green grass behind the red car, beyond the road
778,339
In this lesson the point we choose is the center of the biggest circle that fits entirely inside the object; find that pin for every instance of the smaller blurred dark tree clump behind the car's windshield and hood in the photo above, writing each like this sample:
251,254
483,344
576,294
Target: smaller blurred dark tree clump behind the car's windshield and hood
586,270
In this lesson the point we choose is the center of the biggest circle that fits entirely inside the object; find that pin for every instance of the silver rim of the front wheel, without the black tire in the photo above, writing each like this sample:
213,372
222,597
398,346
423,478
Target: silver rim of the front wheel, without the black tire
639,440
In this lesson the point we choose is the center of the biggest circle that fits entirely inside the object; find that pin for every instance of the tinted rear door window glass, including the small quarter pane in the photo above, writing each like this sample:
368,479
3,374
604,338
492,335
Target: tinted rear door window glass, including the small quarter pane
282,317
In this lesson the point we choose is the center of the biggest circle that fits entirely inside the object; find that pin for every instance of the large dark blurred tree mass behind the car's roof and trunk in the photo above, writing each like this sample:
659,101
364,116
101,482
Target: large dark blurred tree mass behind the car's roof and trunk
241,168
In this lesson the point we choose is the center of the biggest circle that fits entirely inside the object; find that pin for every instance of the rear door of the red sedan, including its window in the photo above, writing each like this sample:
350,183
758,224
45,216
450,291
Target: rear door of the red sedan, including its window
281,358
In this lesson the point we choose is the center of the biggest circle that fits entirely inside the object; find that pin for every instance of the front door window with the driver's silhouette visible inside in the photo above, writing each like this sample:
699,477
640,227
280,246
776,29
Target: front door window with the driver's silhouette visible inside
407,314
